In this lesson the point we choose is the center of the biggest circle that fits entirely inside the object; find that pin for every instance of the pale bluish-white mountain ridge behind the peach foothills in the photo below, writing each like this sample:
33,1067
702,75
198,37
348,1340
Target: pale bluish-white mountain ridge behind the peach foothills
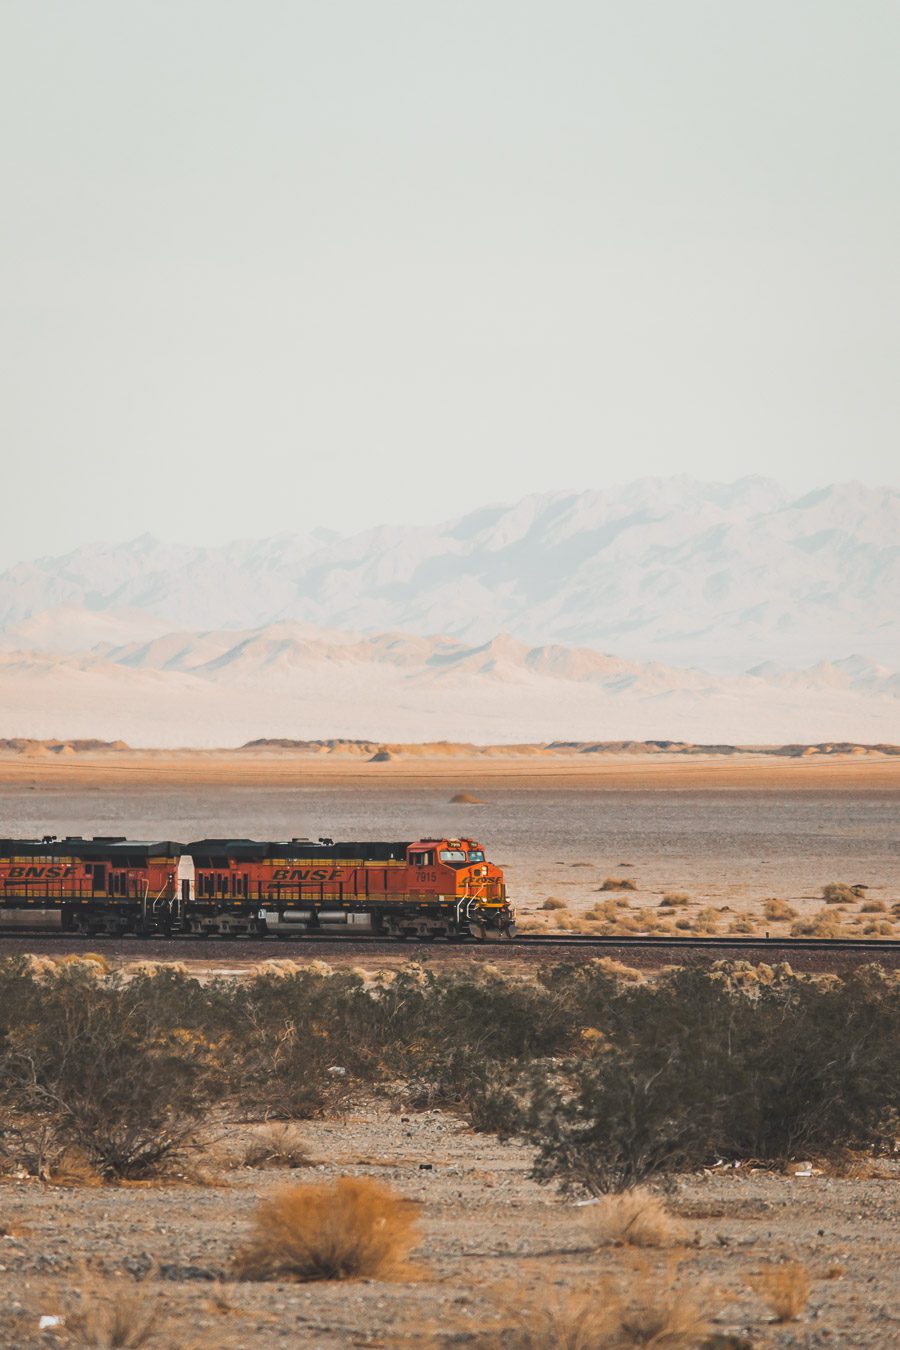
720,576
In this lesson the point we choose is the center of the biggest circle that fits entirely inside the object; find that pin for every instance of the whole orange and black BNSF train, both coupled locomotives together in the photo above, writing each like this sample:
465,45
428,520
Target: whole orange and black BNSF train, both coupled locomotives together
435,888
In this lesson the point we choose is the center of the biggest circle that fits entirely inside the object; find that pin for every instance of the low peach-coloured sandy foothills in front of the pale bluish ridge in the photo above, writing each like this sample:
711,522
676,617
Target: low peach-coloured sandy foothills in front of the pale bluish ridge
223,688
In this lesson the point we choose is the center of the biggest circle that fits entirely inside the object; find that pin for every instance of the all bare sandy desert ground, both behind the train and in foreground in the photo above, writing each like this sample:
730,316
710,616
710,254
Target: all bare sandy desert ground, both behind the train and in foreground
723,835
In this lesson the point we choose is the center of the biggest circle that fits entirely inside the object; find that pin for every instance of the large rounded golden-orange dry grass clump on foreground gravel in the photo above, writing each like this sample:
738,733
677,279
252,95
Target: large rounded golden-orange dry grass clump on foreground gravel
351,1231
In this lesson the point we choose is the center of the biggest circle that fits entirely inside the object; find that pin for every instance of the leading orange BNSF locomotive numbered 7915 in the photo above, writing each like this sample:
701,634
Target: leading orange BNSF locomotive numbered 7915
427,889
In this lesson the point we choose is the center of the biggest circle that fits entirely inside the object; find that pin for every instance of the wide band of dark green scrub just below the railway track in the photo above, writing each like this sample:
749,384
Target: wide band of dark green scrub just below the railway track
611,1077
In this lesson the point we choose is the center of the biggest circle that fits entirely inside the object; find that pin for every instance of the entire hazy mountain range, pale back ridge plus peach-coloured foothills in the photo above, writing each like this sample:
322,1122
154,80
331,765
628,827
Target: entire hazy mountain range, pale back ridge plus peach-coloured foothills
735,614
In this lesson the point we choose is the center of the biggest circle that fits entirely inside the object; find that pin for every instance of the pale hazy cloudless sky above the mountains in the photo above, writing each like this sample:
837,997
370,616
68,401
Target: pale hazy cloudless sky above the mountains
277,264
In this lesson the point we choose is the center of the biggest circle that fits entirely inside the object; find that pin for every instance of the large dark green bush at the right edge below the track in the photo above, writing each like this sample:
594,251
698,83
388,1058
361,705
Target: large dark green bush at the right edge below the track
700,1067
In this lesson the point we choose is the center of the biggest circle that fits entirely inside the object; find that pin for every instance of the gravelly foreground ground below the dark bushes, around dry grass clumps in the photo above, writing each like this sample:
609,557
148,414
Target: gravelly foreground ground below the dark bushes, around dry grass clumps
492,1244
